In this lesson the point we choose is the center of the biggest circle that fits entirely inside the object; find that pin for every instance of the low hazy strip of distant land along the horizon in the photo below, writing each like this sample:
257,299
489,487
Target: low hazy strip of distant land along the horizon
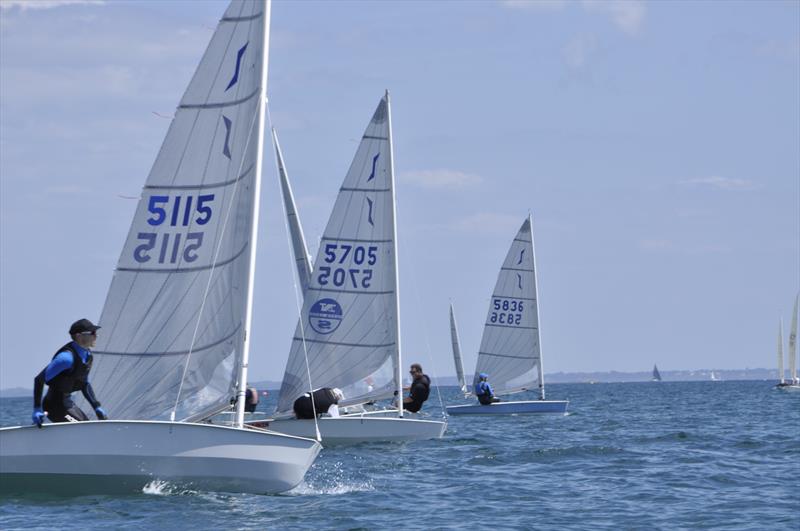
556,378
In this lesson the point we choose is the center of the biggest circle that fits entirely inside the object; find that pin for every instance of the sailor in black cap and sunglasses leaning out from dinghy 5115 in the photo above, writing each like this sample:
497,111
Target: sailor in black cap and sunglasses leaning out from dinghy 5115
66,373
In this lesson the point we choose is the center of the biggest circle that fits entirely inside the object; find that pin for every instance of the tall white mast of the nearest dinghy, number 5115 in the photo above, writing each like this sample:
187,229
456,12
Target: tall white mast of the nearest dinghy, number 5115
262,105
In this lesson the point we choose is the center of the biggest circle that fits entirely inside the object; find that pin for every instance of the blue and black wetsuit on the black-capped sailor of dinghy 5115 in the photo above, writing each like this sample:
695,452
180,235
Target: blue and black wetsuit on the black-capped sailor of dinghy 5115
66,373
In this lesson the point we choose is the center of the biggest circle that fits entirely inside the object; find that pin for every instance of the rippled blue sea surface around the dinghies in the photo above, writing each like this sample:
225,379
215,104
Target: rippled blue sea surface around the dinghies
722,455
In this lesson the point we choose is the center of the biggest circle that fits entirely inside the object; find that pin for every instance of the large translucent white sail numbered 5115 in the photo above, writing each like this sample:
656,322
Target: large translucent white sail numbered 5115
174,319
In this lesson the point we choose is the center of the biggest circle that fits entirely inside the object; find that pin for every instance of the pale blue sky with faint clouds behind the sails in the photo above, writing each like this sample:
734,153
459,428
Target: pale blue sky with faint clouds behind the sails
656,144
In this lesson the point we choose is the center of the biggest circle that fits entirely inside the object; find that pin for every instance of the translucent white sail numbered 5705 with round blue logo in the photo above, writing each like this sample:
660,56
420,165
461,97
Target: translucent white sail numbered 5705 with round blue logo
348,327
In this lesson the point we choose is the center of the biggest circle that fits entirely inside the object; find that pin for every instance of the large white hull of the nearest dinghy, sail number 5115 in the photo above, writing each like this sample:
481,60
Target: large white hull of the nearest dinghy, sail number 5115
124,456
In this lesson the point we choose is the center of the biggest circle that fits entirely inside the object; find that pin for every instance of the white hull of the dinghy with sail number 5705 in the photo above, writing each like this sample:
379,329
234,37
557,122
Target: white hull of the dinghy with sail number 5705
360,429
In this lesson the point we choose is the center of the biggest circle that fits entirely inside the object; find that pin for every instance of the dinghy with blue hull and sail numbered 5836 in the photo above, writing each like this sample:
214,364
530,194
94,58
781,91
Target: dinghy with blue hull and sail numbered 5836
510,348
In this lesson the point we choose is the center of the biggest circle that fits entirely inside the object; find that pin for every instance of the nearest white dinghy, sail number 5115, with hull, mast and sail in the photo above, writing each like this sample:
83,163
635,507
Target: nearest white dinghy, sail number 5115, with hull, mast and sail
174,341
